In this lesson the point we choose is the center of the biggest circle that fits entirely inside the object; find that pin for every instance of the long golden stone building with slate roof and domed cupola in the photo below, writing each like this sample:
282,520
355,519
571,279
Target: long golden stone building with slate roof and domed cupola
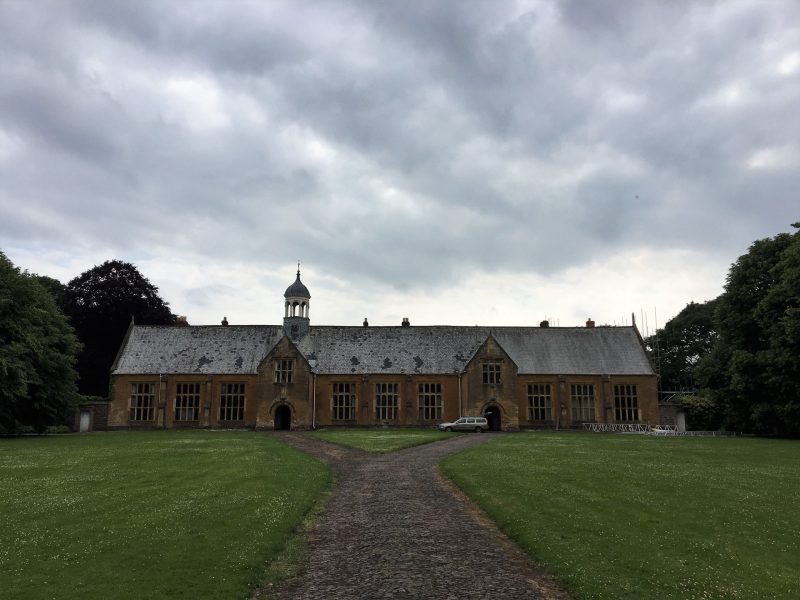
303,376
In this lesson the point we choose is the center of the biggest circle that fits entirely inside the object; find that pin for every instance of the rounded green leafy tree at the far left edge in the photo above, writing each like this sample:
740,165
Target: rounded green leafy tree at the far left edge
37,354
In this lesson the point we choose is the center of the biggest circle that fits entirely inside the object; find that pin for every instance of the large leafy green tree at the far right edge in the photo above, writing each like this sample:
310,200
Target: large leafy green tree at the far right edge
753,371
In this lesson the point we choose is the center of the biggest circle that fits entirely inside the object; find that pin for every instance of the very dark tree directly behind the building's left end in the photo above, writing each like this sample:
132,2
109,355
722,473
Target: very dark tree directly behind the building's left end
101,303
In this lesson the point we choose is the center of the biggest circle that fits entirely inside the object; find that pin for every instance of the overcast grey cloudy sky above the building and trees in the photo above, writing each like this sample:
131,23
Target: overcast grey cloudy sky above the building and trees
488,163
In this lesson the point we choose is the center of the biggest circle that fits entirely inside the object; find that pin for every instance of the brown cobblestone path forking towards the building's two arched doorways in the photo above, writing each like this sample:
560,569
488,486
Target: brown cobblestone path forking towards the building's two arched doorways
394,528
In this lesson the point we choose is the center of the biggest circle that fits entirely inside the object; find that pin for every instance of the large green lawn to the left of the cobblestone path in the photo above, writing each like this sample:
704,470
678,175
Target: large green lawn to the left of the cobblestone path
180,514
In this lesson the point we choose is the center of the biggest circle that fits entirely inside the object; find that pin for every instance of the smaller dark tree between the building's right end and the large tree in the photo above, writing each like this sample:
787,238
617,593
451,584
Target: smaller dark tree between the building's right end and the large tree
682,342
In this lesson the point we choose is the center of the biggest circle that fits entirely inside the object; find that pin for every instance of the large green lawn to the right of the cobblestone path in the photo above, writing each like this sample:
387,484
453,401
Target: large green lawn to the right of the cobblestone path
625,516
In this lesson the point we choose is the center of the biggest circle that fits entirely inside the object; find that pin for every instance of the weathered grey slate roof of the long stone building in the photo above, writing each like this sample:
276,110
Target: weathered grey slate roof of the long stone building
364,350
